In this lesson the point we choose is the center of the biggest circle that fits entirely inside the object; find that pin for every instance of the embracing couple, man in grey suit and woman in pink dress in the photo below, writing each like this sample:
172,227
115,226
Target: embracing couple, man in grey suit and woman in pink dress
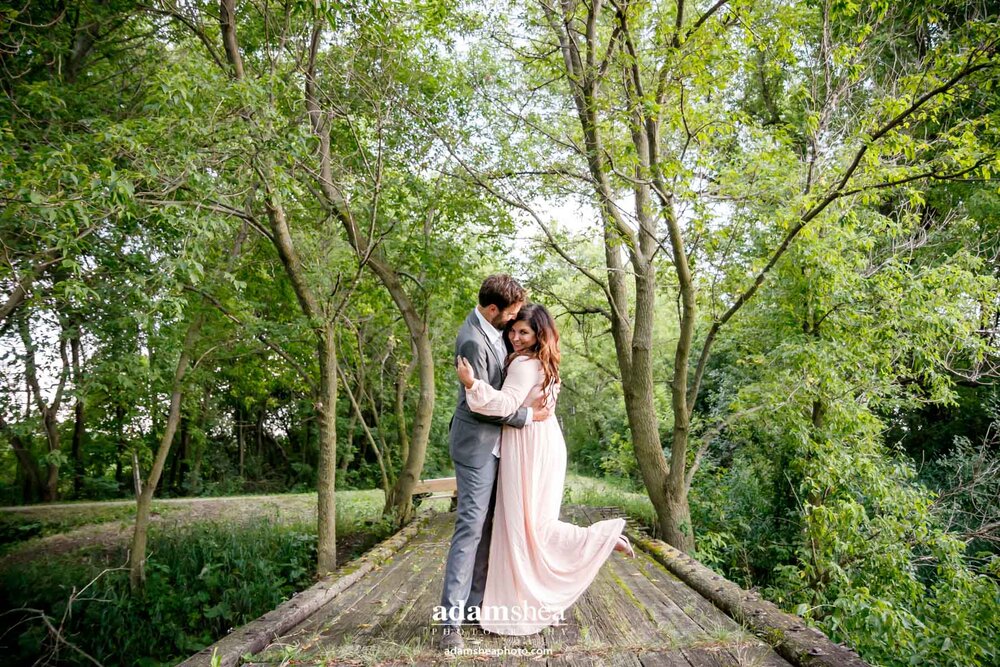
513,567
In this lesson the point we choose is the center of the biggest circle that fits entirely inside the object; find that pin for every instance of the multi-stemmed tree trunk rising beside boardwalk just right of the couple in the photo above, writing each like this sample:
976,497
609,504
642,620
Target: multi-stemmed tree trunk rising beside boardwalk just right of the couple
666,483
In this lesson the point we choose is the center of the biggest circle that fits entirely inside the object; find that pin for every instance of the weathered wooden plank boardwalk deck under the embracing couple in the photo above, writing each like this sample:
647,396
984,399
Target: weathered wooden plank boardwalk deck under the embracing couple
636,613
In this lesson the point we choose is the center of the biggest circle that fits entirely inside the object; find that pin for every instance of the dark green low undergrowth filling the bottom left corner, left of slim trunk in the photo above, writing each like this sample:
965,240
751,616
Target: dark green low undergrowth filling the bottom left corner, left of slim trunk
202,581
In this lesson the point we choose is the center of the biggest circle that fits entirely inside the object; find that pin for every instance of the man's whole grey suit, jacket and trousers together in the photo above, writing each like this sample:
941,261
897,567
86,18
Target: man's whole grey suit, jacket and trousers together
471,440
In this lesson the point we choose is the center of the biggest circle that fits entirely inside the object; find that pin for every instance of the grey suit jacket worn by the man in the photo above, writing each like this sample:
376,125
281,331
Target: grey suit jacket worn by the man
473,436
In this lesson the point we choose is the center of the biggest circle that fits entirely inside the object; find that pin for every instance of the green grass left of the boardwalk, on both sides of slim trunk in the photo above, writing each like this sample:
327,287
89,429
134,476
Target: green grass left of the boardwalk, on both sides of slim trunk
204,578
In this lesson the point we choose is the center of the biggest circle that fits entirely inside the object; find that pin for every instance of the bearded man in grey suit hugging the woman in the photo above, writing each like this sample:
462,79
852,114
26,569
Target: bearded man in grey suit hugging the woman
474,446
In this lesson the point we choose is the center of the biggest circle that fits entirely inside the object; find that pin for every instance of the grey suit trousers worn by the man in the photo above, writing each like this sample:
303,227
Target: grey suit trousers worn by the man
468,558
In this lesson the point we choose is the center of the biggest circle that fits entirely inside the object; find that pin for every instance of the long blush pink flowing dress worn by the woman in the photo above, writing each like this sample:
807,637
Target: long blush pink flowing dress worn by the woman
538,564
